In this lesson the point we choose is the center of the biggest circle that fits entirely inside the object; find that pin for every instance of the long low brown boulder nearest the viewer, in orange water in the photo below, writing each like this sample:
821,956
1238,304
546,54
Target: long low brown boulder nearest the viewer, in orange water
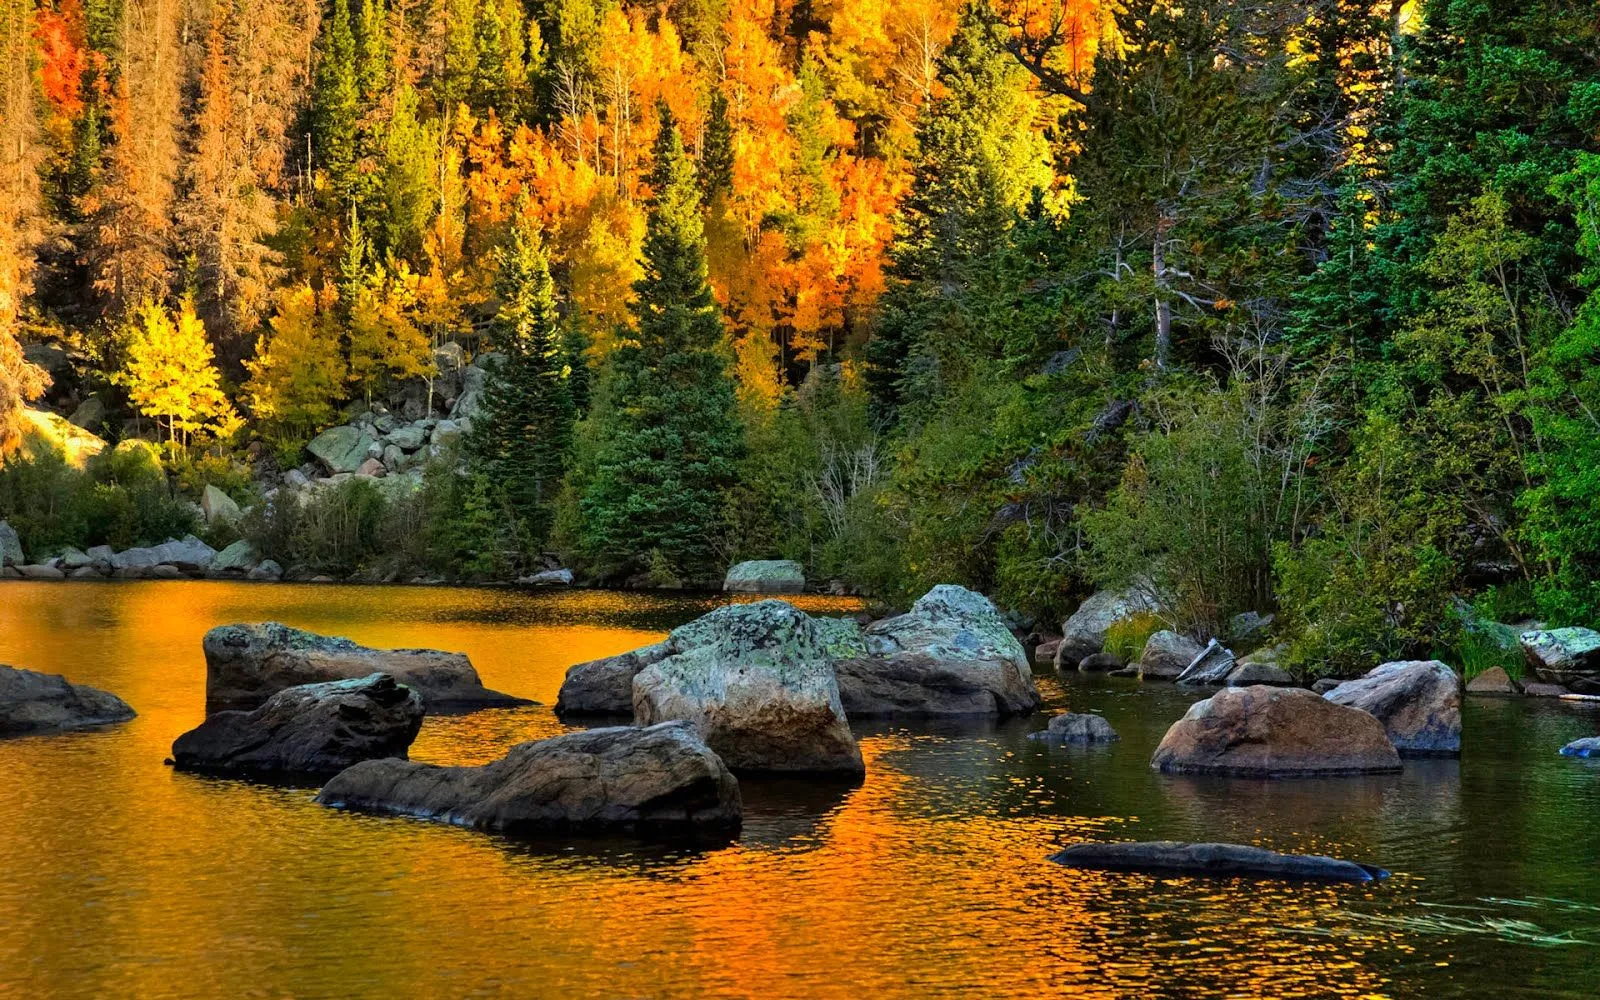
658,780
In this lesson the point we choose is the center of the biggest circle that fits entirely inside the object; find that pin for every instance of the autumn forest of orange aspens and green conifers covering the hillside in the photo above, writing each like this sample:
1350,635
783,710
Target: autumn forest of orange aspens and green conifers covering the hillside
1258,306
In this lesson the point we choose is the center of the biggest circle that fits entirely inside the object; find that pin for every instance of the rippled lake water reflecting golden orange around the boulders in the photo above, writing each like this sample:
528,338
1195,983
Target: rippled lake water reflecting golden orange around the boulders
930,879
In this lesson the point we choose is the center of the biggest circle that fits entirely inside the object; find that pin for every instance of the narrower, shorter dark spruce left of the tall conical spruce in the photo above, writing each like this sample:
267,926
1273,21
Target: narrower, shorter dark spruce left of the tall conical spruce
524,430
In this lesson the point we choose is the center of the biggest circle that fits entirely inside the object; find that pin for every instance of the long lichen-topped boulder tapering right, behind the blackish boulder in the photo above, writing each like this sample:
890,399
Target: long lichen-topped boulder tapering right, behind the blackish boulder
250,663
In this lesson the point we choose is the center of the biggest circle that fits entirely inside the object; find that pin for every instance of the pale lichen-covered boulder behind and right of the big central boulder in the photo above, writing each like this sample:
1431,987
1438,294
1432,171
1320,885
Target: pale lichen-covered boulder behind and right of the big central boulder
951,655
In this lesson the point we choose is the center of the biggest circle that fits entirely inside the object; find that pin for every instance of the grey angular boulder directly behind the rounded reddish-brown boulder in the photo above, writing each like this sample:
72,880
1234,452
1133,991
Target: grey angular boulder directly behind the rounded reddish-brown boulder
1417,700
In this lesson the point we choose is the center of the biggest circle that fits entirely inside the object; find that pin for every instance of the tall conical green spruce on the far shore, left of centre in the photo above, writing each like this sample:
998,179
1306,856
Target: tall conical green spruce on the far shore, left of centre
670,441
